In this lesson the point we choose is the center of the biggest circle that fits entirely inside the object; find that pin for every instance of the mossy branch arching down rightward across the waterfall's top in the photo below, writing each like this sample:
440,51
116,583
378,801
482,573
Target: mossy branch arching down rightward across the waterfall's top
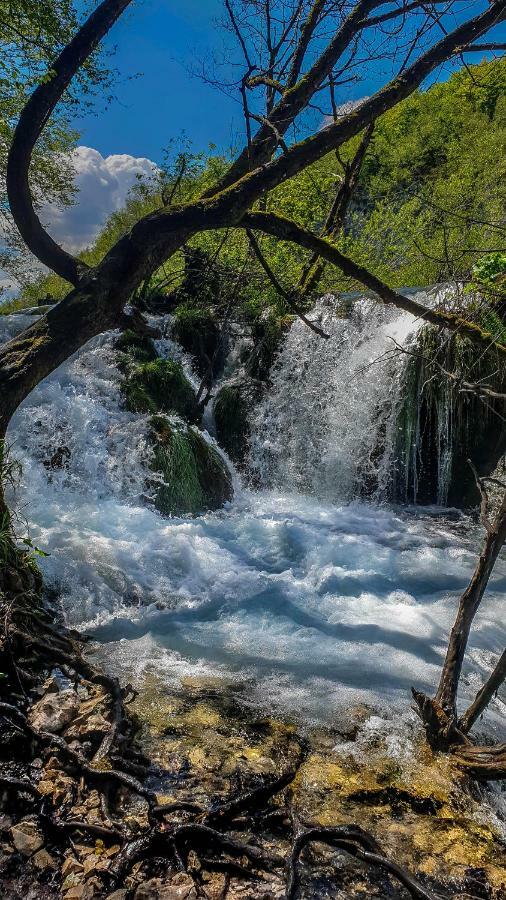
287,230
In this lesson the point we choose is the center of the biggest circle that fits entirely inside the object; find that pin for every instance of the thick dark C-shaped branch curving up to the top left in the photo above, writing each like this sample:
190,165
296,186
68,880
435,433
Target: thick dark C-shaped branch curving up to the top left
31,123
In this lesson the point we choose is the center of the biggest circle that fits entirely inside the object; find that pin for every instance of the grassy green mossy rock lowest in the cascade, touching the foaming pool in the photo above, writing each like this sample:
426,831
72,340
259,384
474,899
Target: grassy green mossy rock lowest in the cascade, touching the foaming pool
195,478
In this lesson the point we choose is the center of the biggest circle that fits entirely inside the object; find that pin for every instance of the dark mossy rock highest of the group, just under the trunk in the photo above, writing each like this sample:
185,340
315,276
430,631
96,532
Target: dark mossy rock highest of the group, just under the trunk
198,332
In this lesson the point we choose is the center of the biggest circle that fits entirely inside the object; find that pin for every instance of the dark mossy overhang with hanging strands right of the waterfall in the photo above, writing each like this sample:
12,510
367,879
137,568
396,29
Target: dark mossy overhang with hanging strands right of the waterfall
440,426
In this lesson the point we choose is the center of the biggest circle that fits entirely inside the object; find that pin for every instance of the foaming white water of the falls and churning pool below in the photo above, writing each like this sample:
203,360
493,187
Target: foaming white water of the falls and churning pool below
315,602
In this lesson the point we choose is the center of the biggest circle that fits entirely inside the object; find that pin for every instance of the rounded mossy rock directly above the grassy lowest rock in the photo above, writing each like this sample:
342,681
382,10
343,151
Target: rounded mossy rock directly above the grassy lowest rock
160,385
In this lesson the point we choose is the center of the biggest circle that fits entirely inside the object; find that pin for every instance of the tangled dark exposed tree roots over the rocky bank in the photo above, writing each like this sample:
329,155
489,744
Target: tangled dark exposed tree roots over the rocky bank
174,833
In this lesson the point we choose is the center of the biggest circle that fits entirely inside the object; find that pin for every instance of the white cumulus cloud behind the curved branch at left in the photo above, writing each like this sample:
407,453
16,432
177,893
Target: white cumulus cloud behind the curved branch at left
103,184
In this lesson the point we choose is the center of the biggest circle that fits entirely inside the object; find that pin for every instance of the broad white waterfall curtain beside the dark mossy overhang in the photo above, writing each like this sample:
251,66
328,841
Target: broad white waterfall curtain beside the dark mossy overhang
328,425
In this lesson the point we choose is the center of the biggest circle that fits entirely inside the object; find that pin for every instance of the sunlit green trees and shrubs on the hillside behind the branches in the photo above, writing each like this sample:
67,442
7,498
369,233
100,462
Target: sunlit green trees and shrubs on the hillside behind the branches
431,193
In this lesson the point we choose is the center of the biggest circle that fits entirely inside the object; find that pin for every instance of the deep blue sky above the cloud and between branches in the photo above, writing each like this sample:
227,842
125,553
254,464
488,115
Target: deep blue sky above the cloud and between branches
159,40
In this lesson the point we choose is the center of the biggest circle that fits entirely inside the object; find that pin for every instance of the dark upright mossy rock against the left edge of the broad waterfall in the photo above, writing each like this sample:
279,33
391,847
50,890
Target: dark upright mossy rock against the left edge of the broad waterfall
232,408
